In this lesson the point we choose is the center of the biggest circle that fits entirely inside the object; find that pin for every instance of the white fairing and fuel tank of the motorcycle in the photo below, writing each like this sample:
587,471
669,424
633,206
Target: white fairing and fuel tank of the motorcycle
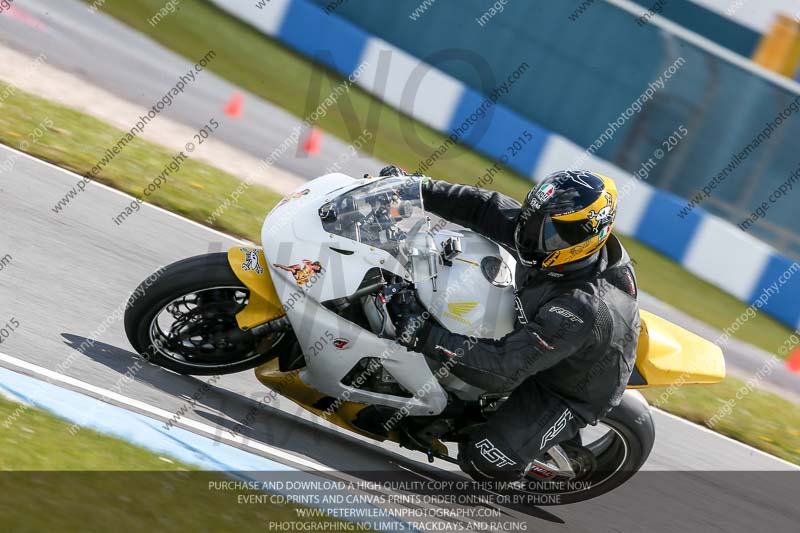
293,233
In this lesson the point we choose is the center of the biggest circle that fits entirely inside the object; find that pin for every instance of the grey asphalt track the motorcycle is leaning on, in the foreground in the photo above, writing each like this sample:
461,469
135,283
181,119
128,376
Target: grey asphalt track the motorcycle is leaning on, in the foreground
70,271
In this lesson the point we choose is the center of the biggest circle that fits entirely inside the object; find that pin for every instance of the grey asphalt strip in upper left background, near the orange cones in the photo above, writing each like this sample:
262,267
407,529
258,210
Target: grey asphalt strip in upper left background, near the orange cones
112,56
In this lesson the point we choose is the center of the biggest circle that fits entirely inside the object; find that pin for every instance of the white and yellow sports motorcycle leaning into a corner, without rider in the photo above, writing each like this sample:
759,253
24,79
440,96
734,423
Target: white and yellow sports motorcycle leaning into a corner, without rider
311,313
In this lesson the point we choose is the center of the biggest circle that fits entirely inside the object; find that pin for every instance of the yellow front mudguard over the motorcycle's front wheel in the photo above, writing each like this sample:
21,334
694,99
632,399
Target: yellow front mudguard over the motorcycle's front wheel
250,267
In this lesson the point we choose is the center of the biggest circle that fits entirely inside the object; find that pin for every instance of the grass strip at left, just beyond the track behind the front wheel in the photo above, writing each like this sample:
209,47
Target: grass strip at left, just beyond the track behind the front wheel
76,141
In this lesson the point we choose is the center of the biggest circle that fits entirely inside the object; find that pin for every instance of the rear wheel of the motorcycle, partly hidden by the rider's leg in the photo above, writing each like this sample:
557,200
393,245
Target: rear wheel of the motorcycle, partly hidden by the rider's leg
603,457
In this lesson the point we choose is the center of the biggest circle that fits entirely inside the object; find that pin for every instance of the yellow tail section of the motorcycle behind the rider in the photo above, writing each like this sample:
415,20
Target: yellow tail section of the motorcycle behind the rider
669,354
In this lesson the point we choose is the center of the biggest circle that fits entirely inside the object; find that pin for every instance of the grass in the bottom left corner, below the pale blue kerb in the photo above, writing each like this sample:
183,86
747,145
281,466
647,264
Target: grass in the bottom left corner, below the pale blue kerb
52,481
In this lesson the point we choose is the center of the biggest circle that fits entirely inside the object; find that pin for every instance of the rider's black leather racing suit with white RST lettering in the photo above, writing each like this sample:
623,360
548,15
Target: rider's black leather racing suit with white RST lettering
570,355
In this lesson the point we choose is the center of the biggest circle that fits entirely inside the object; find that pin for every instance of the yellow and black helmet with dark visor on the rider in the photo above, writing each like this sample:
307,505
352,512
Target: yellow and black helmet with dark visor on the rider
566,218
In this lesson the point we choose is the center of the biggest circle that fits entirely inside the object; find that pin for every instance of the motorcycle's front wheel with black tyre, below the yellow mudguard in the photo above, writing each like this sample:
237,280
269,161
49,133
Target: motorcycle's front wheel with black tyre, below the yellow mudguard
186,320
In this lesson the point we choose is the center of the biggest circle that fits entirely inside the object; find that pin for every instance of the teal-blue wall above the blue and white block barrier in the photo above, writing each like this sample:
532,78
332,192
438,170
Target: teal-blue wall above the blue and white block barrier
586,71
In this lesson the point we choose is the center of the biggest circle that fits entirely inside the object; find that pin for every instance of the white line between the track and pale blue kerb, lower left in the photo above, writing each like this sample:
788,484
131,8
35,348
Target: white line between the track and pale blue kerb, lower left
199,427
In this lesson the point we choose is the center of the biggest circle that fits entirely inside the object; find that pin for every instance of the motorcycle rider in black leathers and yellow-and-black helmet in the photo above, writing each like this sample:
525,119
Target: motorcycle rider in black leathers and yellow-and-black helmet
573,348
